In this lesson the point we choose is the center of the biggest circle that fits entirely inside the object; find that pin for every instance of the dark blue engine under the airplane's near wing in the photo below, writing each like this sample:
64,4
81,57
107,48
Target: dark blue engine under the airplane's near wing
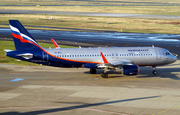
130,69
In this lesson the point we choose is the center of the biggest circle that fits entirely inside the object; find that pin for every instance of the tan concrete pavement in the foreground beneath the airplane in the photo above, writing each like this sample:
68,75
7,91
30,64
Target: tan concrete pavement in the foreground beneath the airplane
53,91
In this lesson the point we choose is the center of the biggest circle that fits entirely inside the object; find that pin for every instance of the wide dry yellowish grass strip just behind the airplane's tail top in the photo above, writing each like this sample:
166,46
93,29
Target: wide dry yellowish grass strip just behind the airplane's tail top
96,23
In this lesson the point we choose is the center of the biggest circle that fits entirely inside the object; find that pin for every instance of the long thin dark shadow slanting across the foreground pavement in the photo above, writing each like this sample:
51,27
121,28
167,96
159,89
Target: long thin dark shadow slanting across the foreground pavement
75,107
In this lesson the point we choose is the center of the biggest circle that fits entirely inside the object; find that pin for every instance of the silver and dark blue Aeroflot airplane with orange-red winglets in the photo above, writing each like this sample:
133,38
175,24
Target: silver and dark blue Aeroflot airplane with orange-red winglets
125,60
